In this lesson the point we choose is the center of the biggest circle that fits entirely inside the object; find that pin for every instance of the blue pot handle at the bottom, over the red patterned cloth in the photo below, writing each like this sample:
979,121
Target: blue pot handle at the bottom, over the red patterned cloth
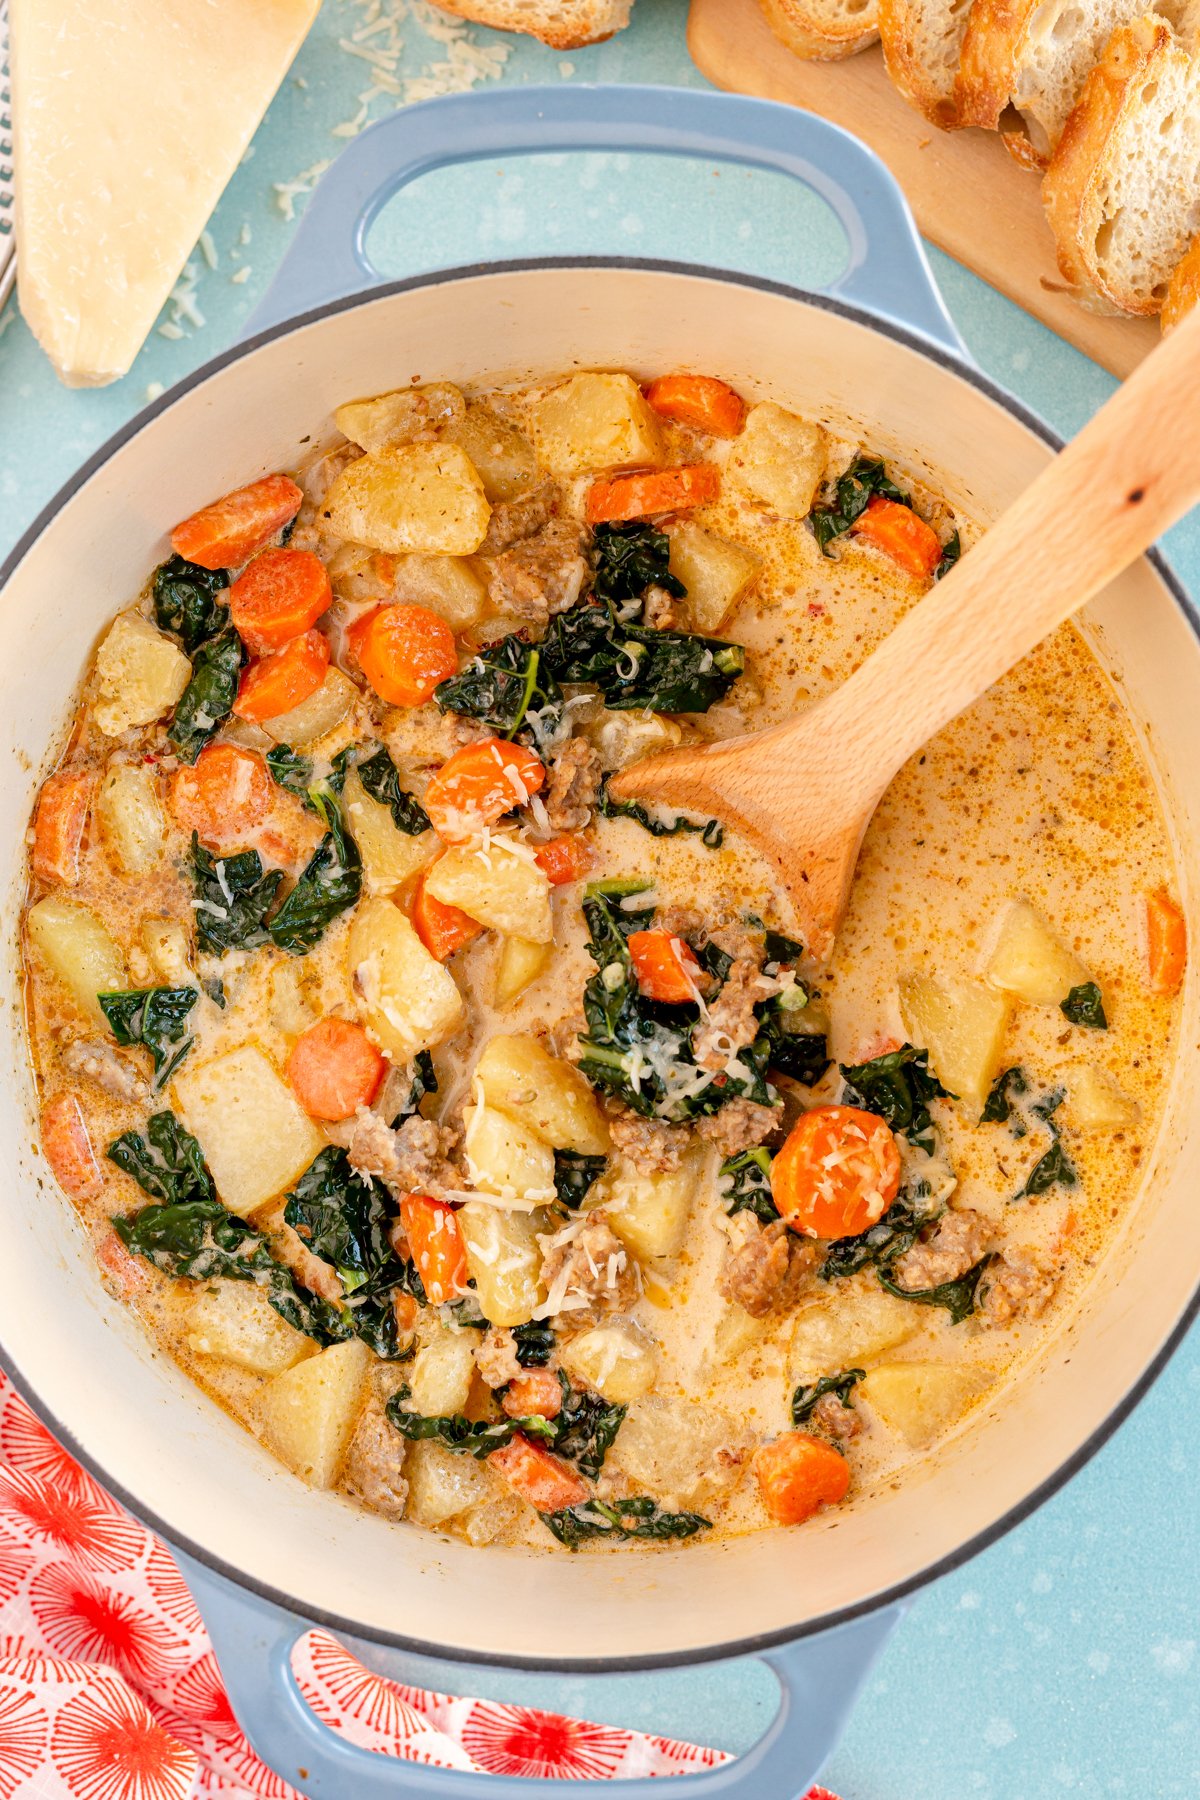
819,1680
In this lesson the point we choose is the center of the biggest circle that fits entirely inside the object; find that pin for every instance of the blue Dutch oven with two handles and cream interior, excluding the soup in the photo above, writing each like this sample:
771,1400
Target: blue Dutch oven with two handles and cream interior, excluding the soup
265,1554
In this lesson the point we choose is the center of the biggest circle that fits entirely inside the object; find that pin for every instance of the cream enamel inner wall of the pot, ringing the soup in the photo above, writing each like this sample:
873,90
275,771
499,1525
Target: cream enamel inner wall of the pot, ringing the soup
87,1365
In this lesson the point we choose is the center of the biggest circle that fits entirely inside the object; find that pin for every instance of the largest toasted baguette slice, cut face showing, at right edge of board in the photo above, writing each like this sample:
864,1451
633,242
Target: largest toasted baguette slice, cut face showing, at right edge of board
1122,190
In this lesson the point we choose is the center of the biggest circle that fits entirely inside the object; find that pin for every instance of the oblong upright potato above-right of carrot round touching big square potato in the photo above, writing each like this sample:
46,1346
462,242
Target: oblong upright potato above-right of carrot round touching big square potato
407,1000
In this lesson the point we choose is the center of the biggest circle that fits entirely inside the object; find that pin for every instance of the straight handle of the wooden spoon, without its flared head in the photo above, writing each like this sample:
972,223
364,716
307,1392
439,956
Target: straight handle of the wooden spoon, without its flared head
1116,487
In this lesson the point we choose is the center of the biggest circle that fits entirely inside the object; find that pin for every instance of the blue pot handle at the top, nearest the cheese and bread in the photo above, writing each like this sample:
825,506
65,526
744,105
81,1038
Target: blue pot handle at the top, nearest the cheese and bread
888,271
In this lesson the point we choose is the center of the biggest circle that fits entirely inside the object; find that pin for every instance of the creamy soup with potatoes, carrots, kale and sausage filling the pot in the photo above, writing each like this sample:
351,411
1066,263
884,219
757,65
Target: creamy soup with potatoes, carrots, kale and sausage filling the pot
492,1149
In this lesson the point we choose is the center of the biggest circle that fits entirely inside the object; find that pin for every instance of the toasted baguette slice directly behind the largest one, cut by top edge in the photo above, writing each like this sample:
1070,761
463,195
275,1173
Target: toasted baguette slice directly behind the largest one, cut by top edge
1034,57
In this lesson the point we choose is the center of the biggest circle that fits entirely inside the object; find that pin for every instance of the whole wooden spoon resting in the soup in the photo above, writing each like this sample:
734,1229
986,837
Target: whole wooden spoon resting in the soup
805,791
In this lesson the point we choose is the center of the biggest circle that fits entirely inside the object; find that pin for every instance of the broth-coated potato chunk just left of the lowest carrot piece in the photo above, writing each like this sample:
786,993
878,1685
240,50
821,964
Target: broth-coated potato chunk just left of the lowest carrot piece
670,1448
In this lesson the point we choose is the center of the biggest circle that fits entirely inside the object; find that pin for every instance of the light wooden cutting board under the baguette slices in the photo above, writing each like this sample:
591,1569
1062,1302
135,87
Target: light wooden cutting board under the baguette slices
965,190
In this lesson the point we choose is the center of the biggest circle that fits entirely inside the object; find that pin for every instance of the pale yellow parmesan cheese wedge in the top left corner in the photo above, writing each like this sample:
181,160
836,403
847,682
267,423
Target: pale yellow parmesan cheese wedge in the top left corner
130,116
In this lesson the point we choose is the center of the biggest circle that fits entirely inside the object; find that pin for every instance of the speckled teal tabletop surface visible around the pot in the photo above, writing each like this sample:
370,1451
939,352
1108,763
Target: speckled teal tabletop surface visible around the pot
1062,1660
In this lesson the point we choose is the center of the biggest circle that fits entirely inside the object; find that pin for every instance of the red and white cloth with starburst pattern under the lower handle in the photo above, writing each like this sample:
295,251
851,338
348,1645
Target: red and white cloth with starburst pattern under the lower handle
109,1687
